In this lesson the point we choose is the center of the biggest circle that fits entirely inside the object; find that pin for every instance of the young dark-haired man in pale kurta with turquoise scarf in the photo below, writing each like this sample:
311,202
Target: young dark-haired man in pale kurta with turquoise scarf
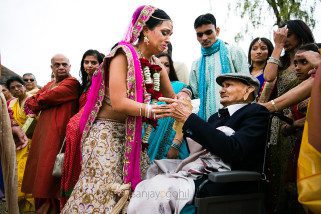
217,58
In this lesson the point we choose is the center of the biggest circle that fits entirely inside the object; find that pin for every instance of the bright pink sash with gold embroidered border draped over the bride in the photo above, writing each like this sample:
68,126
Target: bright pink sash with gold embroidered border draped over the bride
96,94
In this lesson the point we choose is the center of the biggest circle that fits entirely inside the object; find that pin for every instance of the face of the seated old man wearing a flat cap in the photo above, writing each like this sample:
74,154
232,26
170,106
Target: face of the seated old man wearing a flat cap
233,92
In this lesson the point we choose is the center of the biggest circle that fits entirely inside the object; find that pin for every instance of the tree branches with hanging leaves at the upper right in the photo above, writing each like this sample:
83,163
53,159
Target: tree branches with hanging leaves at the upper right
282,9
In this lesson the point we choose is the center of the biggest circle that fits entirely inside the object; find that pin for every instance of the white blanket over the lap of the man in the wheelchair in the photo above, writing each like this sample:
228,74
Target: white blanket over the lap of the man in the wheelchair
169,184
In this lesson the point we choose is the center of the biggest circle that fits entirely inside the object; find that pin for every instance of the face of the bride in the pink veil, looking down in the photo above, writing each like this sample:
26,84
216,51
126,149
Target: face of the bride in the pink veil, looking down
159,37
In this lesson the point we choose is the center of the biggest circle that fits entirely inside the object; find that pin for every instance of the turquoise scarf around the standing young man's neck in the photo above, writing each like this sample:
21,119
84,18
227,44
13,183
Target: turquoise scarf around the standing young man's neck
207,67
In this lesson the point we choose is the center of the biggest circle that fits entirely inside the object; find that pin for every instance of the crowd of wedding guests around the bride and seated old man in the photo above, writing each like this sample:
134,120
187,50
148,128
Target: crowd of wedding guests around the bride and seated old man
139,121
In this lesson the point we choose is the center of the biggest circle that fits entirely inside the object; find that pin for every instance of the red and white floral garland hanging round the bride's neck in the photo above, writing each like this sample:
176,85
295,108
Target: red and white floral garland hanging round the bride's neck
151,94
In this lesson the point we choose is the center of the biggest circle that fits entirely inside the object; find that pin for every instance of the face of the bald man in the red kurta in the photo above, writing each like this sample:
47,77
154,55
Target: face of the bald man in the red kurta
60,67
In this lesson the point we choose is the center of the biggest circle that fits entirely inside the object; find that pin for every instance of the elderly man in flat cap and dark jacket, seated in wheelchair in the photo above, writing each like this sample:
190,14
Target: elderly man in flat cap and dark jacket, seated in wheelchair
236,134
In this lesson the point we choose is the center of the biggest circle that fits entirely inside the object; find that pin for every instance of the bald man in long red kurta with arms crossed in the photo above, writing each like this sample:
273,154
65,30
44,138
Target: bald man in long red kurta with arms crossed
56,102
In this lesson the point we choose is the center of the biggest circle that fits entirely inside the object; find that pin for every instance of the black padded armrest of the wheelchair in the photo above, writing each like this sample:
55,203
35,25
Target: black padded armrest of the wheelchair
234,176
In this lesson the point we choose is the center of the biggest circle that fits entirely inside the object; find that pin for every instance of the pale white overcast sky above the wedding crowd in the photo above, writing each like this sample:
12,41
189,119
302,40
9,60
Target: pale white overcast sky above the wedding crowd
32,31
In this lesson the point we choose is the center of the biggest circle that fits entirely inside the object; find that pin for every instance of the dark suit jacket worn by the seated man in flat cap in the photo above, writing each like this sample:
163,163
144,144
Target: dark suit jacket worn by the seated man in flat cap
245,149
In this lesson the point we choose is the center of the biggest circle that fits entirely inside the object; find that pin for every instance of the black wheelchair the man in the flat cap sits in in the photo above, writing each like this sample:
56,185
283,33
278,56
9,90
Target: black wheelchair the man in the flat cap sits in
241,192
